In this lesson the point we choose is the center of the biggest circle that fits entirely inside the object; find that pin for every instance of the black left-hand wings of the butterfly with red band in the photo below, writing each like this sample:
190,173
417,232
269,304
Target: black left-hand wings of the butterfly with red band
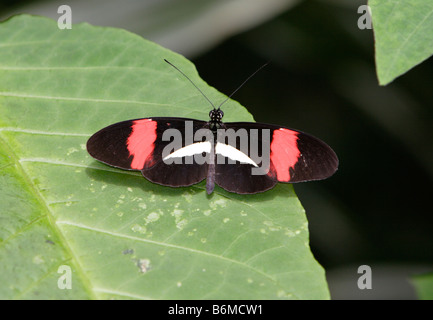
139,145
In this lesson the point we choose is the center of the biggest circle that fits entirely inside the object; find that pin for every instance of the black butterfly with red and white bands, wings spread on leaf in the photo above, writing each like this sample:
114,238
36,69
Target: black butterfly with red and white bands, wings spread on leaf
240,157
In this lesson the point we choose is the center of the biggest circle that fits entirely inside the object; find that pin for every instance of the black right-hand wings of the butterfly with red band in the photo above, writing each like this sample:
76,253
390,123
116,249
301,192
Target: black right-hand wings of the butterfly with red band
282,155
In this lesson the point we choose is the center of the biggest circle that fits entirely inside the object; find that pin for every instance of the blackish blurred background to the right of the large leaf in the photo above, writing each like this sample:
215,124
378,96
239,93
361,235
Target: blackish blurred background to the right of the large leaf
377,209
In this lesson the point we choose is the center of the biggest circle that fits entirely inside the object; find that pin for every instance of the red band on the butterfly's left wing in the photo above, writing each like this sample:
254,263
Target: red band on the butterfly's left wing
140,142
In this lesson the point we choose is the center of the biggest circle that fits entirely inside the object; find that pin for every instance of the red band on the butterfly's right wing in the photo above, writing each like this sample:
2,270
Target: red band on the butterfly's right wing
284,152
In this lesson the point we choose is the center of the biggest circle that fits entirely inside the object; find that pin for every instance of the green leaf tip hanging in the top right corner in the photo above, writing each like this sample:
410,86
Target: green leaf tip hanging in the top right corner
403,32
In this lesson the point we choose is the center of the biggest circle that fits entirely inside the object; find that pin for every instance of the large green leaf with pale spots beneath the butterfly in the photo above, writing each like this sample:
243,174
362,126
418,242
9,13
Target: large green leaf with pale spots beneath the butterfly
122,236
